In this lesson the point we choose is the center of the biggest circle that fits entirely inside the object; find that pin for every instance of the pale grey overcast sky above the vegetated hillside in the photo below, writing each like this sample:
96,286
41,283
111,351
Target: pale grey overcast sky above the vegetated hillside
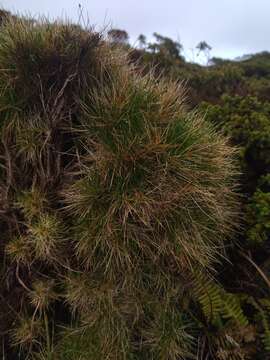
231,27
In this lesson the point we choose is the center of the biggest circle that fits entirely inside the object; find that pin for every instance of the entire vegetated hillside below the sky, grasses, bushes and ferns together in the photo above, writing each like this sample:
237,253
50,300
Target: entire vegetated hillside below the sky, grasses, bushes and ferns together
135,210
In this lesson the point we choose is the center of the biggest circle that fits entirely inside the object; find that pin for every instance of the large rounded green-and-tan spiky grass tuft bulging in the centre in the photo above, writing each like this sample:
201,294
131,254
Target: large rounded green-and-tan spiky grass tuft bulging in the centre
157,185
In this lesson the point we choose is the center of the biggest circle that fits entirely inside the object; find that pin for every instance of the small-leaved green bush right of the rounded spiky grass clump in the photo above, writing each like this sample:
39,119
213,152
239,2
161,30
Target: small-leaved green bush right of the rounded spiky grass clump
247,121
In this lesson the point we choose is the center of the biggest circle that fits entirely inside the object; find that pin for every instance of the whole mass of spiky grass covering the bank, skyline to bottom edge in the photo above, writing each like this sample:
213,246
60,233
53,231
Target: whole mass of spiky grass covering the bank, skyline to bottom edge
114,192
